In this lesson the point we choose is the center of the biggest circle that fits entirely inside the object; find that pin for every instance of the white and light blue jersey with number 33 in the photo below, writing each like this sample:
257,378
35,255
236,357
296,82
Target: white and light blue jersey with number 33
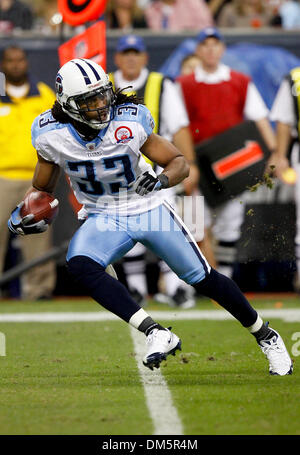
102,172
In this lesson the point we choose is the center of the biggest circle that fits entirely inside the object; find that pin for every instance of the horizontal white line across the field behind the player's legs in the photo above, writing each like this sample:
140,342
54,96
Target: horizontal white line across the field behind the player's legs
287,315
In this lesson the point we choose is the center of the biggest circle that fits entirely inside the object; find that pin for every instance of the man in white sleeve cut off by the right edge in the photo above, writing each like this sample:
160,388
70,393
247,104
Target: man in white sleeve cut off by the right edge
286,159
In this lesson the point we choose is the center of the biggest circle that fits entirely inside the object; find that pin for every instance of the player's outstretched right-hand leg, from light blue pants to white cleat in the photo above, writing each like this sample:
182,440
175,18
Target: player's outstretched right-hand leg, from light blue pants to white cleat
178,248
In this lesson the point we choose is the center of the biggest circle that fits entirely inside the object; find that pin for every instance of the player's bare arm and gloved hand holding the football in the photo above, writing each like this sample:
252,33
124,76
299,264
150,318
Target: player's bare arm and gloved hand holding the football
45,178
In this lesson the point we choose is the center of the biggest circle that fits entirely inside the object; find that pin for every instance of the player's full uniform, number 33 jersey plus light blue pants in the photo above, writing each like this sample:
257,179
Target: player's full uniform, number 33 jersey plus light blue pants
102,173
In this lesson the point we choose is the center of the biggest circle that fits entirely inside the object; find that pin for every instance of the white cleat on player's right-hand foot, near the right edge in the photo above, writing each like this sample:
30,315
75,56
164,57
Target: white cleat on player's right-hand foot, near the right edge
280,363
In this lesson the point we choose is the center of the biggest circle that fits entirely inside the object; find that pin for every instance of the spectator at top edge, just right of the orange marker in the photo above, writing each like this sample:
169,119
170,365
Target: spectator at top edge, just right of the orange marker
124,15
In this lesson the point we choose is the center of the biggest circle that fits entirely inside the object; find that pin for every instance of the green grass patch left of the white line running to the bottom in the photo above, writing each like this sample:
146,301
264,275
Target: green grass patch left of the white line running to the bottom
70,379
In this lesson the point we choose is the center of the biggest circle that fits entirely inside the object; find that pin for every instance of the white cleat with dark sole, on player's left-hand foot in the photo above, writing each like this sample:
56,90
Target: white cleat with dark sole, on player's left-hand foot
160,344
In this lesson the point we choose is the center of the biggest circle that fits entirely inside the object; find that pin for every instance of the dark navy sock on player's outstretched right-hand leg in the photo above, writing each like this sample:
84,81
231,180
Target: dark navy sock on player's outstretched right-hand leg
226,292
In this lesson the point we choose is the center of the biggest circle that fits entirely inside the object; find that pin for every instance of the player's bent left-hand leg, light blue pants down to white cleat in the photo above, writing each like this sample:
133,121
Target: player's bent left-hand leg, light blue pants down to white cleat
97,243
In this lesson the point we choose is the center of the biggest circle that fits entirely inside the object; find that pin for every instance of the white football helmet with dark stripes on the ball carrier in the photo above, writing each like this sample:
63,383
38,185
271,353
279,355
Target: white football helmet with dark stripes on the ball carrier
82,87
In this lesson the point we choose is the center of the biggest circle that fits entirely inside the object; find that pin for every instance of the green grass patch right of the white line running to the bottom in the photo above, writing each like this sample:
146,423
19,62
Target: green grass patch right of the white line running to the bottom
222,386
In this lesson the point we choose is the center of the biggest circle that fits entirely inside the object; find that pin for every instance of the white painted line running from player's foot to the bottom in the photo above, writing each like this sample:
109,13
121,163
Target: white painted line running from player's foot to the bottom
158,397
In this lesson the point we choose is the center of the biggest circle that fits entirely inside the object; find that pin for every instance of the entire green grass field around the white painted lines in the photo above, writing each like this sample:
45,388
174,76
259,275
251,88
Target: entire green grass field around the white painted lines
82,377
